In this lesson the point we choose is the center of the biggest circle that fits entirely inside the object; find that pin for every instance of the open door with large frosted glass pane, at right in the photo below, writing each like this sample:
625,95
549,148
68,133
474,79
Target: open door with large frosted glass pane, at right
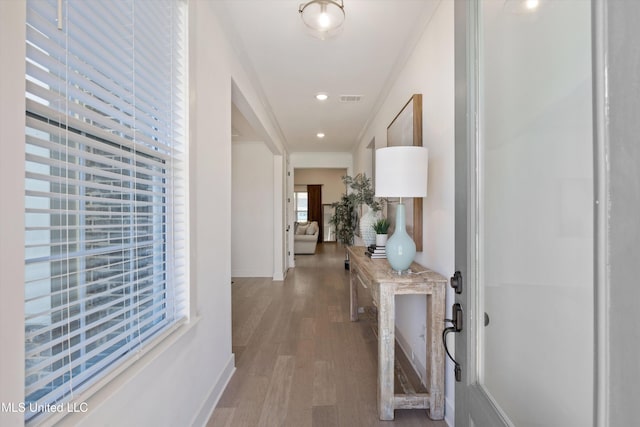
527,346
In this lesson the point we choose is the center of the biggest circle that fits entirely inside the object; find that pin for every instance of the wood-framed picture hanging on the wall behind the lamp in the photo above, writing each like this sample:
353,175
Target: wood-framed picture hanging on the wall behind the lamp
406,129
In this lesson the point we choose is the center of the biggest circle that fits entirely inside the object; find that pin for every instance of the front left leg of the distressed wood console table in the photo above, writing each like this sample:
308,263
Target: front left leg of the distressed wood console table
386,352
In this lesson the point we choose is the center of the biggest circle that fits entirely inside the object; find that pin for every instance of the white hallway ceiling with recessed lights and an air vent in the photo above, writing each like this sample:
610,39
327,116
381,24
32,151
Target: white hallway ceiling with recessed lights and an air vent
289,66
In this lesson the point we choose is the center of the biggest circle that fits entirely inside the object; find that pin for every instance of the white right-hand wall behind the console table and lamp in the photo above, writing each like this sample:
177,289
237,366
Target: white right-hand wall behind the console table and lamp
429,71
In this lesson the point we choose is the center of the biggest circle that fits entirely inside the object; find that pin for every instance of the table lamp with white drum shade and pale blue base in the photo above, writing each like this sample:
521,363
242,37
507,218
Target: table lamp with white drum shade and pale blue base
401,172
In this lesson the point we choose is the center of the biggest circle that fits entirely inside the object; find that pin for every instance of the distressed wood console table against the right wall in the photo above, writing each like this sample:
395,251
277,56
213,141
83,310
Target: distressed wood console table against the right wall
384,284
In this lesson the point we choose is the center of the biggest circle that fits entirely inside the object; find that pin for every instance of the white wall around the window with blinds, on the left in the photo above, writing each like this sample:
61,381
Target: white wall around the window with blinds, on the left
180,381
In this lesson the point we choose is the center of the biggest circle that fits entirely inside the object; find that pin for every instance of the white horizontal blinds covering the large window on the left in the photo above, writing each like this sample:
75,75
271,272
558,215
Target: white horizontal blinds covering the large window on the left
105,187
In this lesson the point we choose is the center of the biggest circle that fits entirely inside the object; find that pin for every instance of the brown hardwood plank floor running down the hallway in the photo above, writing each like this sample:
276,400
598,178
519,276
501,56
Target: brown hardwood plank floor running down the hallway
299,360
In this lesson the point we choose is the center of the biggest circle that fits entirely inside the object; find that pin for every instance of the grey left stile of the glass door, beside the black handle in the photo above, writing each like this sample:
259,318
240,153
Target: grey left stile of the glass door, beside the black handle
469,396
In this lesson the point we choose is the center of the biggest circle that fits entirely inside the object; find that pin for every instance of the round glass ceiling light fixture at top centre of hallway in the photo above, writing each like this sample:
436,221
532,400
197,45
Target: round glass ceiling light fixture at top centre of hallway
323,17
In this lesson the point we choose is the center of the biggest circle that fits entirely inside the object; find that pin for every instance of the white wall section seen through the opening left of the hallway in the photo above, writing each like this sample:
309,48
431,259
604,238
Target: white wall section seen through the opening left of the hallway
252,202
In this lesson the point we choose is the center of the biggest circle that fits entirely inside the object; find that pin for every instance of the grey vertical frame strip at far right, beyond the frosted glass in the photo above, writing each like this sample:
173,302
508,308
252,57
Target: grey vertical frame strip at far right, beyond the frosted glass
616,64
